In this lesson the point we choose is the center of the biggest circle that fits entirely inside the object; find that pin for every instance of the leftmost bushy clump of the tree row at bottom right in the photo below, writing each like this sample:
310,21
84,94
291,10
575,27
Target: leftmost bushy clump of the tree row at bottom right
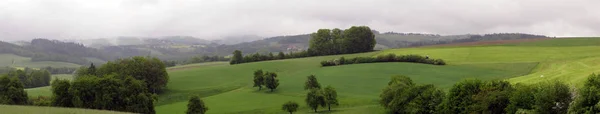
403,96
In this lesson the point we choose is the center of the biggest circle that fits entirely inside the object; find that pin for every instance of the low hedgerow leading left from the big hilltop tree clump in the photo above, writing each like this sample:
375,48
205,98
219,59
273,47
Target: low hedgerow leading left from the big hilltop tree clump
239,58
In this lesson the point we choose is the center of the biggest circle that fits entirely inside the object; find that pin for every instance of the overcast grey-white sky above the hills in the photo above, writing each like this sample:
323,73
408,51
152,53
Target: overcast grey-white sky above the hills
213,19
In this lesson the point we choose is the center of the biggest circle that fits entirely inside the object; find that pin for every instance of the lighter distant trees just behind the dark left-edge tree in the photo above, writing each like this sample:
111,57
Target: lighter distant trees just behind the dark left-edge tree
31,78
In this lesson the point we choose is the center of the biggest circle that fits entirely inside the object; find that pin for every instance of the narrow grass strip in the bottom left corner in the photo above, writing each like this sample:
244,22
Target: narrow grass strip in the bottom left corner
12,109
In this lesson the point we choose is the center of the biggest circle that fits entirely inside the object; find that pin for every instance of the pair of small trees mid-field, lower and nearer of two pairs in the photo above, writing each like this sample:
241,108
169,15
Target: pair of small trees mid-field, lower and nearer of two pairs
319,97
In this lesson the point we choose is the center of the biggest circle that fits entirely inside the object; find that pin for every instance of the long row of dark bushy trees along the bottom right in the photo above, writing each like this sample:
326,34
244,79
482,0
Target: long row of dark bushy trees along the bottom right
493,97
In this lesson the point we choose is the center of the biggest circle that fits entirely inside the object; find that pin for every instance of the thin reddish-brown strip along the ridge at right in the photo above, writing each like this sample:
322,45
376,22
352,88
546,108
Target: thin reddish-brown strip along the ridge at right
489,42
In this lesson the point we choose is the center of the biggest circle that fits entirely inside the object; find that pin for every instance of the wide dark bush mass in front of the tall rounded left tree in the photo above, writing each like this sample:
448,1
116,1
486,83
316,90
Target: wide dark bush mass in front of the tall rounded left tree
112,92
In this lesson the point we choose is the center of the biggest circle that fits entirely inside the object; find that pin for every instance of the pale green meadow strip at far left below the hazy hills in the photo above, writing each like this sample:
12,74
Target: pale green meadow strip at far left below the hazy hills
7,60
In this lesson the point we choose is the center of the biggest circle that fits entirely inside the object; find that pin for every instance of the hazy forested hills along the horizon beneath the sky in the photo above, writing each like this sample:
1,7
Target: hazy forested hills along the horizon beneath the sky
185,49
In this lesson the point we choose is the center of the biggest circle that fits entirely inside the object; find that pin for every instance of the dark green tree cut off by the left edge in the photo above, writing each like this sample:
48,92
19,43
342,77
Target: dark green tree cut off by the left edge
11,91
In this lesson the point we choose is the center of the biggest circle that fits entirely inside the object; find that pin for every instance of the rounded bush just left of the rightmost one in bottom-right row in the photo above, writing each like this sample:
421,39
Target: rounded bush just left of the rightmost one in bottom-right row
552,98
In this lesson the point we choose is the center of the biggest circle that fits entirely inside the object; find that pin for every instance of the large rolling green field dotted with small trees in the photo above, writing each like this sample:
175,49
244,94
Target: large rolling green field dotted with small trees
228,88
